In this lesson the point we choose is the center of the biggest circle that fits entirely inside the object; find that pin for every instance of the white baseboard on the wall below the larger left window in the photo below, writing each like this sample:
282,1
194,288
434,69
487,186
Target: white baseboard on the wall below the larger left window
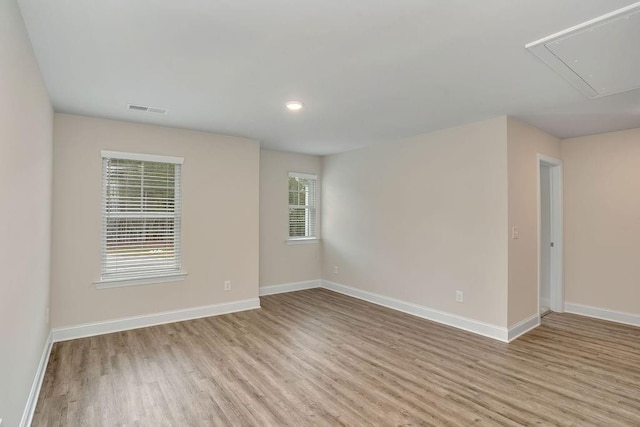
109,326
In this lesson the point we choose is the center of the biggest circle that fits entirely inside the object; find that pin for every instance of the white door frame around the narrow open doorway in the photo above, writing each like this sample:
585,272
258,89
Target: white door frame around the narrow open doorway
557,261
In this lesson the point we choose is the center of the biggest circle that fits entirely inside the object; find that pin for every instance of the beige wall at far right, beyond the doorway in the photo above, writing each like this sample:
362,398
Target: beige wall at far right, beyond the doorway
602,220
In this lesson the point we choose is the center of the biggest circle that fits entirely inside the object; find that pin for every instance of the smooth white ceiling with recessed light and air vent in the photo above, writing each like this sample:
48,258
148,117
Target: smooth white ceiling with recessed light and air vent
368,71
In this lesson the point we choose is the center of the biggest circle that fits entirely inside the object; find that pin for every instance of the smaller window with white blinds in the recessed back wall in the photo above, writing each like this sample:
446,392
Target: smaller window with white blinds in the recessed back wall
302,206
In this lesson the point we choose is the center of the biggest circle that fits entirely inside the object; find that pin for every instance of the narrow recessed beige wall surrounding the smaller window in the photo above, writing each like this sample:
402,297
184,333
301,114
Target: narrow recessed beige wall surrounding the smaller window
281,263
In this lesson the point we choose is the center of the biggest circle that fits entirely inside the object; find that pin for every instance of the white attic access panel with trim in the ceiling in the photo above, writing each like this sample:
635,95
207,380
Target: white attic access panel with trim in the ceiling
600,57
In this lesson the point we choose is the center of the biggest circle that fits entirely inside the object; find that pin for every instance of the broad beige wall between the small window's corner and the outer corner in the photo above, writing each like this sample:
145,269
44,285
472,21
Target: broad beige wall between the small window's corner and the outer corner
420,218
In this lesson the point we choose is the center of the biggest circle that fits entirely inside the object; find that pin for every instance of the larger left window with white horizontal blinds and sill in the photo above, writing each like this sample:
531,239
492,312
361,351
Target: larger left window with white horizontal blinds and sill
140,219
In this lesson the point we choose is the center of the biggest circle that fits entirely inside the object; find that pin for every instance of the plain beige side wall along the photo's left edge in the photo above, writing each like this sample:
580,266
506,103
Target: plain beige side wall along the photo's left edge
26,122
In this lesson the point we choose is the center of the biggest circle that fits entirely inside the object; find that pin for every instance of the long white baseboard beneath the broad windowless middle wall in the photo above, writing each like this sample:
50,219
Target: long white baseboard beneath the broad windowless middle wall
470,325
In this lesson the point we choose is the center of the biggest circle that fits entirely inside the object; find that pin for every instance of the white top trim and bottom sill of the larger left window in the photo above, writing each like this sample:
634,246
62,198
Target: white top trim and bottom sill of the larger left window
120,282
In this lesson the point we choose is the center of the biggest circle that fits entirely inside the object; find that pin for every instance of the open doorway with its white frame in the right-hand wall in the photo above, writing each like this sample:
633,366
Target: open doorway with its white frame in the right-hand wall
550,283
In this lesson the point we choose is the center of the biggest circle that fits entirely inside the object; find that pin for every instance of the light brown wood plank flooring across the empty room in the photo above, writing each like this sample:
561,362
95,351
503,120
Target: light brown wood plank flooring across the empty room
319,358
